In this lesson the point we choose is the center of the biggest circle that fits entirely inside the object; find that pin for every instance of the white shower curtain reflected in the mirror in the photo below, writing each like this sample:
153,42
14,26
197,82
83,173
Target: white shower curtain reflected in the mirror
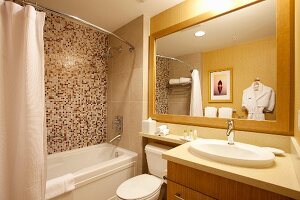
196,109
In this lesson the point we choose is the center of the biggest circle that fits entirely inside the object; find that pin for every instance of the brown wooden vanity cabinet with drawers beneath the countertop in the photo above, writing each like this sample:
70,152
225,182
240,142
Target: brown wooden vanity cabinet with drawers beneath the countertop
185,183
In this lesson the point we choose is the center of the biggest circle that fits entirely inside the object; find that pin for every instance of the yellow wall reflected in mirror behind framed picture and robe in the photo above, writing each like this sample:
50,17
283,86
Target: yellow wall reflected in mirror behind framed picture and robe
248,61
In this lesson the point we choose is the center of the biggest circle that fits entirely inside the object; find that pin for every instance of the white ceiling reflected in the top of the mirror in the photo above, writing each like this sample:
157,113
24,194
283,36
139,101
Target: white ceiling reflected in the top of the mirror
251,23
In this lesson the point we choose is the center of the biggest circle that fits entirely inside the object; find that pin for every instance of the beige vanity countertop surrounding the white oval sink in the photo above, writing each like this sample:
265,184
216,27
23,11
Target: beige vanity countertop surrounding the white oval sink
280,178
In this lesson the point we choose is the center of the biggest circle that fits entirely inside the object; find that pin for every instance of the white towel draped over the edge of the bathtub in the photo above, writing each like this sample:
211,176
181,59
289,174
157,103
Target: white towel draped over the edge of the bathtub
60,185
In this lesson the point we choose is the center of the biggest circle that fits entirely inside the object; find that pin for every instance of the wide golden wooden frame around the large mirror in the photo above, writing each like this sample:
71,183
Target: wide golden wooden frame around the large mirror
285,80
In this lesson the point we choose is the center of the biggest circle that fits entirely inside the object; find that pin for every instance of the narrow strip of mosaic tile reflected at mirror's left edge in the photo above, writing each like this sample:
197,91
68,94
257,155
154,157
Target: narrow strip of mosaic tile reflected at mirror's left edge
162,81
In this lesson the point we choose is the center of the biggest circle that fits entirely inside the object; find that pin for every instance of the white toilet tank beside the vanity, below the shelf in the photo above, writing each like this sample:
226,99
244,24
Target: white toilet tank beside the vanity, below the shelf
156,165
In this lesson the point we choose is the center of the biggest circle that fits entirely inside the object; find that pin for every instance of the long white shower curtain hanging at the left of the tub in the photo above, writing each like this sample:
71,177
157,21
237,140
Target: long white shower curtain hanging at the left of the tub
22,145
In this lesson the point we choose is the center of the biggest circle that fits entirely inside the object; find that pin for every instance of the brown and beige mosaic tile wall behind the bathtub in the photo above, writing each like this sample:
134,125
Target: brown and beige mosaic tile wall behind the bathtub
76,85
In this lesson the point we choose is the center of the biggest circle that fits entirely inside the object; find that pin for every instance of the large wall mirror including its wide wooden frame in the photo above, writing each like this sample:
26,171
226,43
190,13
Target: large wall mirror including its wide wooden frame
235,65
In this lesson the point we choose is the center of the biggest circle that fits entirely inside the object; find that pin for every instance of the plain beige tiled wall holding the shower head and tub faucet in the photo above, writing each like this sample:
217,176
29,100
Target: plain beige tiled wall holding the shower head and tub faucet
126,72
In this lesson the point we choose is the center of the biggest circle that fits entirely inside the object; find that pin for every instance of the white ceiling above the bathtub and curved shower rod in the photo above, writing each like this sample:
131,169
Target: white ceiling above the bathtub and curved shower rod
109,14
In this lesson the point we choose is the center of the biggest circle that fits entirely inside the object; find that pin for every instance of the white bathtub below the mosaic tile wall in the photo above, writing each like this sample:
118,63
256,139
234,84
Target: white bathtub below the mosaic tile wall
98,170
